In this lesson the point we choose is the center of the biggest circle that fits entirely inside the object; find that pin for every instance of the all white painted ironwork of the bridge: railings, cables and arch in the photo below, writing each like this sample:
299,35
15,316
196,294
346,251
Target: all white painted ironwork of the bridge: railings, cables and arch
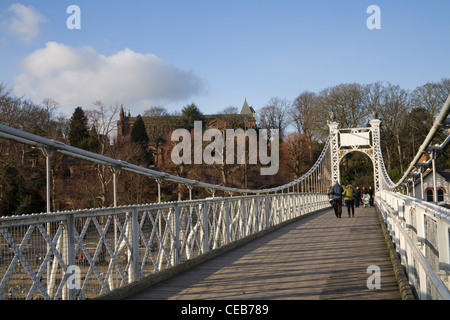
112,247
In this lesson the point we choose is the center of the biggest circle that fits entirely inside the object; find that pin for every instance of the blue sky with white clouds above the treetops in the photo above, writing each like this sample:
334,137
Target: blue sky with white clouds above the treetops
215,53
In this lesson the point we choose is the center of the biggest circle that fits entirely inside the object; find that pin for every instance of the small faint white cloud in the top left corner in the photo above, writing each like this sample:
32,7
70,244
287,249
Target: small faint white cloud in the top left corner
25,22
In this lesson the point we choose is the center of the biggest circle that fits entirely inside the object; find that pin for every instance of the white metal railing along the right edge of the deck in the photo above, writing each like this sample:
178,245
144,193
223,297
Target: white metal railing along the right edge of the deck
420,231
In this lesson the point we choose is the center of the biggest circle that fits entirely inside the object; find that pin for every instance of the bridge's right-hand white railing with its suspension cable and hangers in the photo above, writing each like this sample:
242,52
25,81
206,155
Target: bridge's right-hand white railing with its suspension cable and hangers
419,230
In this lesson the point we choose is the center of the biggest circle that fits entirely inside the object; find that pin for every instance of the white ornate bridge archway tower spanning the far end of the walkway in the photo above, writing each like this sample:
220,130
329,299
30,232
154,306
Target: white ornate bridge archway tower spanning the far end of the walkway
347,140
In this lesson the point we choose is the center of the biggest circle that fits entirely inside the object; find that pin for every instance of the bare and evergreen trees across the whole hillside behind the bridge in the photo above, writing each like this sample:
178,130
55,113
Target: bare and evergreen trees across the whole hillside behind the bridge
406,115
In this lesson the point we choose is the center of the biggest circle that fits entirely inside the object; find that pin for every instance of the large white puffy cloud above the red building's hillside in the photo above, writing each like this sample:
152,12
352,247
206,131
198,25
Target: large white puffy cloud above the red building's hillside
79,76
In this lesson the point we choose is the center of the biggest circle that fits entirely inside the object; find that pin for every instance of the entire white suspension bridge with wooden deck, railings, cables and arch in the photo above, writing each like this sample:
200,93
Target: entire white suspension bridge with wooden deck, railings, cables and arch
277,243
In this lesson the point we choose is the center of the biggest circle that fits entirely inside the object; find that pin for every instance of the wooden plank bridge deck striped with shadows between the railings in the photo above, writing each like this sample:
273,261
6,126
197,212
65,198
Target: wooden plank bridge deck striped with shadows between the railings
319,257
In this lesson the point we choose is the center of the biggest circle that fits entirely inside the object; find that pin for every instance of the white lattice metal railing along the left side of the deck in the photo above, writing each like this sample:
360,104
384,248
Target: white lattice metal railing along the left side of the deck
83,254
